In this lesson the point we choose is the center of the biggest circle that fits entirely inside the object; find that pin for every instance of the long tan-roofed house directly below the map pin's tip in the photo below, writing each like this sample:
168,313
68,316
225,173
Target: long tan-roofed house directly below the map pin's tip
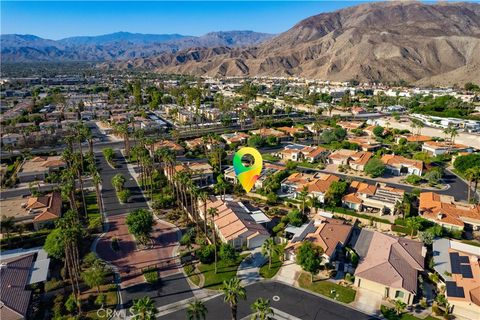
236,224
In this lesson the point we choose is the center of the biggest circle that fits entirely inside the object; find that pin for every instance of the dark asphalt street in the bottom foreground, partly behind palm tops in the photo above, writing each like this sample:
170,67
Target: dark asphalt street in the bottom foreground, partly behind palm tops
295,302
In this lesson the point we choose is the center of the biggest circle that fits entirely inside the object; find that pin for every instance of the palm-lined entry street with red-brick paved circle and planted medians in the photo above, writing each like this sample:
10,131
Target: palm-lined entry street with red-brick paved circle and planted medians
173,285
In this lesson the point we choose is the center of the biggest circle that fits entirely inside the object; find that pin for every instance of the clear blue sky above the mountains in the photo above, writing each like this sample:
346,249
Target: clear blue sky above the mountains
59,19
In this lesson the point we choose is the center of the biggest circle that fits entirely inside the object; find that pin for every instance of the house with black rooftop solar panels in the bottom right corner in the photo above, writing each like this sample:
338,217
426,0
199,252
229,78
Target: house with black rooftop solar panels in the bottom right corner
458,266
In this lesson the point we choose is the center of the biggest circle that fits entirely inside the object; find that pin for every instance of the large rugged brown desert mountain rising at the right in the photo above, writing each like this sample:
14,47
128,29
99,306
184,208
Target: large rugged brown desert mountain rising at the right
412,41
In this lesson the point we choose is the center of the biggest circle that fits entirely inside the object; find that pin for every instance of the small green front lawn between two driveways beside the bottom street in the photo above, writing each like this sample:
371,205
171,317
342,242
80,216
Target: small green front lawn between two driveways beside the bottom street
324,287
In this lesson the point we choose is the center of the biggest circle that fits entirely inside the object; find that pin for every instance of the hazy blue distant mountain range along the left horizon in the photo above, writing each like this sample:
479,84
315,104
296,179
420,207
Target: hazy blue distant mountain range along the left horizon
116,46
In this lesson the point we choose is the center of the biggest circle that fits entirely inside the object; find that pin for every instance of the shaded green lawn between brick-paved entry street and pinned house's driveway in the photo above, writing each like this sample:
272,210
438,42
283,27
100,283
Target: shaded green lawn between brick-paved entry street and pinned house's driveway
225,271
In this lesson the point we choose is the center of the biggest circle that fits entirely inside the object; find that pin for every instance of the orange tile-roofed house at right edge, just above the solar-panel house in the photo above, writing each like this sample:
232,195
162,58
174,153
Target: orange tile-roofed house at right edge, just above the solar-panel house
444,210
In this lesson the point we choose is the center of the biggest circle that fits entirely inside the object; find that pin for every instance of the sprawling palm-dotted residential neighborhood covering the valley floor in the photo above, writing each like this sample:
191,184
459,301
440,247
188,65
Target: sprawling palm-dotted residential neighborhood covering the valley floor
120,198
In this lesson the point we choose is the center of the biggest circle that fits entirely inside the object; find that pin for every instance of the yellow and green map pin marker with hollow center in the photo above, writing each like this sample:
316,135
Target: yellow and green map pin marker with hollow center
247,175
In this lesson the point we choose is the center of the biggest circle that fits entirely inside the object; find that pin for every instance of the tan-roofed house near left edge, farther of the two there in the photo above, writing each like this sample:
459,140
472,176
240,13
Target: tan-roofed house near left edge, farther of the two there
39,167
